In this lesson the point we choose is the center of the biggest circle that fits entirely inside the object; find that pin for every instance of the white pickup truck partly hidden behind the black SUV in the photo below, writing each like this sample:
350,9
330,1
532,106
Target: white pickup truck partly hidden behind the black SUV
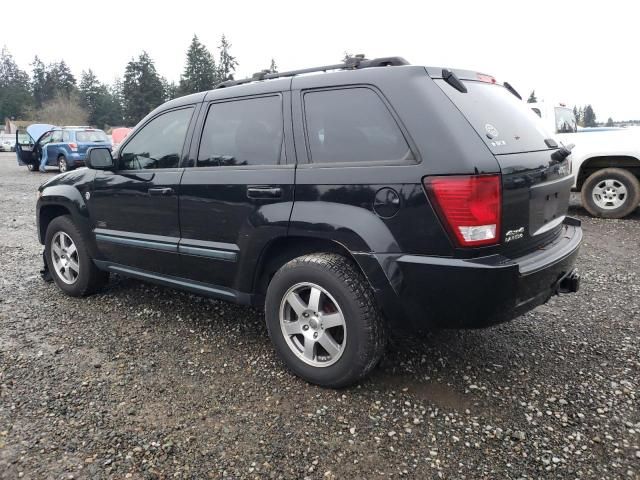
605,162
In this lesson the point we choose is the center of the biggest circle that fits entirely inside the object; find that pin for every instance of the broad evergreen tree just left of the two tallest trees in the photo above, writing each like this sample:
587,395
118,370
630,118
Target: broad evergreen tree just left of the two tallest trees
142,89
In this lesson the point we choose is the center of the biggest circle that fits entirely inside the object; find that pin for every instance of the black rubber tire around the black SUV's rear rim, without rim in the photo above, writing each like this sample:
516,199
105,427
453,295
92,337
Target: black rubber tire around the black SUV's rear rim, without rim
340,372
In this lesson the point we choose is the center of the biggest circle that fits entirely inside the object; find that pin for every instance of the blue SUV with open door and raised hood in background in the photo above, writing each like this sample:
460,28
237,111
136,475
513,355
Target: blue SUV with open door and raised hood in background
66,146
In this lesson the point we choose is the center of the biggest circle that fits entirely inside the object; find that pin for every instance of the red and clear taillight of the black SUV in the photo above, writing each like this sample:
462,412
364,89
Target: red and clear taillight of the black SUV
469,206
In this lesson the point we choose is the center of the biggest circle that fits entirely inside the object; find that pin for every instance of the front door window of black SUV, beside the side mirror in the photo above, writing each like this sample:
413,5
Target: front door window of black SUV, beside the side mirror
159,143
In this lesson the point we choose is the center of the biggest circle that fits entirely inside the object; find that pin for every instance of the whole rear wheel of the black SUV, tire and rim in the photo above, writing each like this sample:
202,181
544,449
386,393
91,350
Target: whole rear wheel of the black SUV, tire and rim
323,320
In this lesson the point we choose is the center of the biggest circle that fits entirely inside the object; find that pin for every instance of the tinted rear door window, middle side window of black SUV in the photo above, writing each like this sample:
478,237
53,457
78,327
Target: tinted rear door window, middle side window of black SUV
243,132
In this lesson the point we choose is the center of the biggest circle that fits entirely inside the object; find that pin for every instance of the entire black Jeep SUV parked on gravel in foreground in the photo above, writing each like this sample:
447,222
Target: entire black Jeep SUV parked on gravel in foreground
370,195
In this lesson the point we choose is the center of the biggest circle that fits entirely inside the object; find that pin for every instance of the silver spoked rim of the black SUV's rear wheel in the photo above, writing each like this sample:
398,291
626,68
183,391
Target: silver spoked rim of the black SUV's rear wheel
313,324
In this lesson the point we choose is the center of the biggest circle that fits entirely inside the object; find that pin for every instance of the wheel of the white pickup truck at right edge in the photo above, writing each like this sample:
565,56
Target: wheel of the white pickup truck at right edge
611,193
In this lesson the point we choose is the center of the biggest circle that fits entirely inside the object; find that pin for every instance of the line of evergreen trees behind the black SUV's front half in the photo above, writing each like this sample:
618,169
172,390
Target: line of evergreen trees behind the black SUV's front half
52,94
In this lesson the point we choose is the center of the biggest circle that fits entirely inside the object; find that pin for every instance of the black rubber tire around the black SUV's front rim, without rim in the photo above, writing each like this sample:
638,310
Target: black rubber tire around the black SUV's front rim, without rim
81,285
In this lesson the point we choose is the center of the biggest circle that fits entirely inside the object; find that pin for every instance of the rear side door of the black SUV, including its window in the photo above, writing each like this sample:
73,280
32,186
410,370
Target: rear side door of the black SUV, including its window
239,194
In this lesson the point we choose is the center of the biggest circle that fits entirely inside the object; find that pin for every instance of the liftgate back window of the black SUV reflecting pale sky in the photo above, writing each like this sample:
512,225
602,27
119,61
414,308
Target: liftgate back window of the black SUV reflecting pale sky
503,121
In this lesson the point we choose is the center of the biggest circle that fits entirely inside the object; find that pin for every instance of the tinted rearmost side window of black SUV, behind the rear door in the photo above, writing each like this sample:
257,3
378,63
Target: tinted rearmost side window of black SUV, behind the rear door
352,125
